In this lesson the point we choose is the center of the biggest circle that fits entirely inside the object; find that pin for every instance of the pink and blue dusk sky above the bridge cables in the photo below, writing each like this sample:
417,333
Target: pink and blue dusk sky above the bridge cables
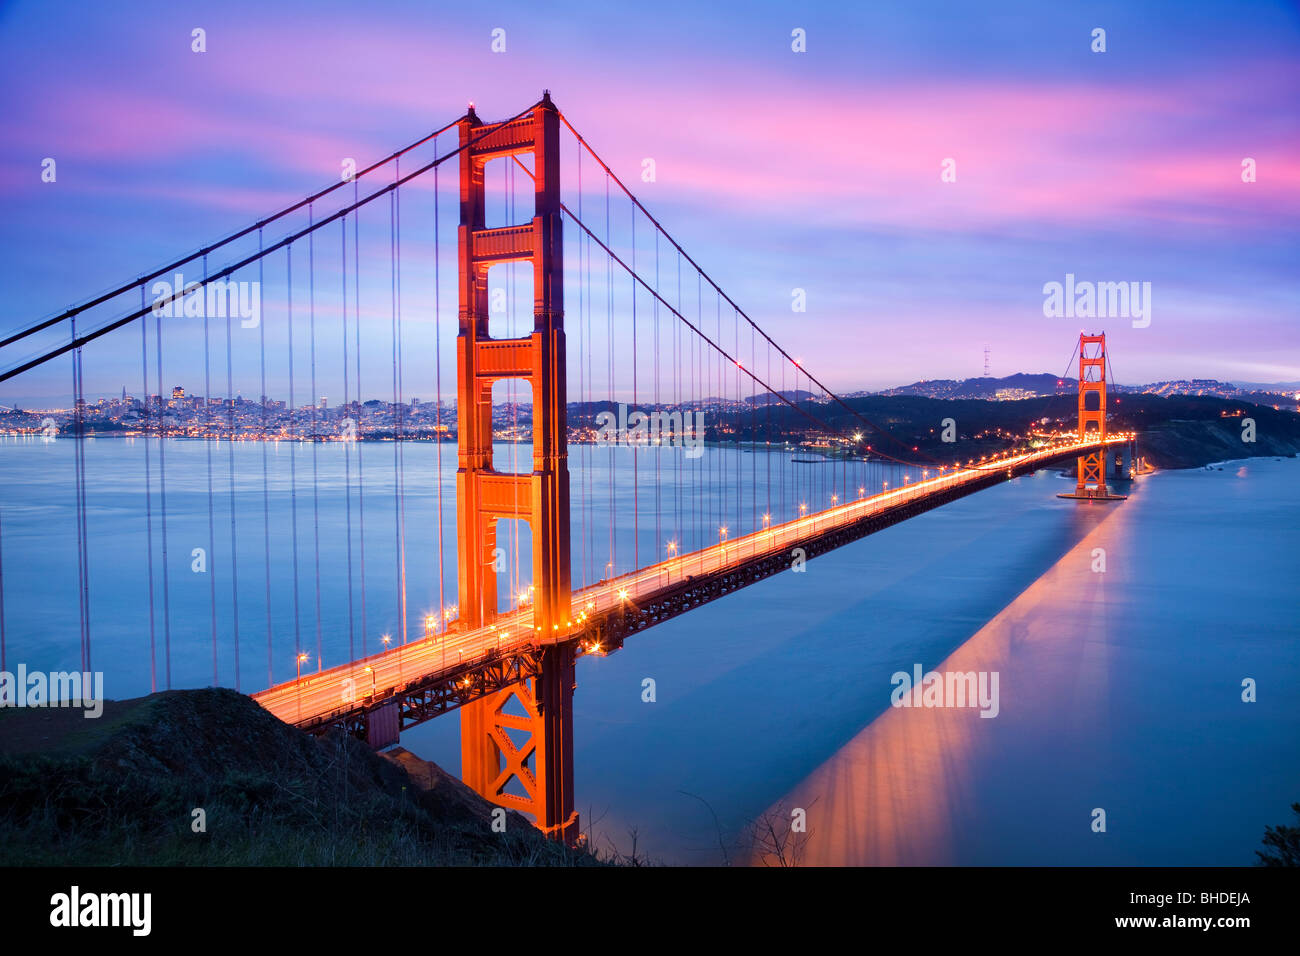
774,170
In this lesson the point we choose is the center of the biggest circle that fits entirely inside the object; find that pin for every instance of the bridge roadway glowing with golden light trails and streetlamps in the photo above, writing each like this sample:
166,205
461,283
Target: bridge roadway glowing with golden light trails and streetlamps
456,659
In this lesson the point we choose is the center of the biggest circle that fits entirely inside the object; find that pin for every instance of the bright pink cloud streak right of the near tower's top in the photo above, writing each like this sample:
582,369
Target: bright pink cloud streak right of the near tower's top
1052,155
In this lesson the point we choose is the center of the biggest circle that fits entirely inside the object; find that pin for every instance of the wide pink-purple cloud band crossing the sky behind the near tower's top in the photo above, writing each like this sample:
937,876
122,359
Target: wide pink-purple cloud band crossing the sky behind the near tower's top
839,155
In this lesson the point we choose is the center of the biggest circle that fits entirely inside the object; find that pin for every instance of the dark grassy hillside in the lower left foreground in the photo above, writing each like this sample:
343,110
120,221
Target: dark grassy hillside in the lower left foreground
120,790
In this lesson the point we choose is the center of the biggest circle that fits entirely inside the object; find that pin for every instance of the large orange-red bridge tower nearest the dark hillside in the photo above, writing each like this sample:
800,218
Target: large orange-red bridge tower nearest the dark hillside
534,775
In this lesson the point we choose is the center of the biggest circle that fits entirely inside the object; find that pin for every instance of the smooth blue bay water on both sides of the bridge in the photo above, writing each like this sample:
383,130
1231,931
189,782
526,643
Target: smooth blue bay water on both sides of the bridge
1120,690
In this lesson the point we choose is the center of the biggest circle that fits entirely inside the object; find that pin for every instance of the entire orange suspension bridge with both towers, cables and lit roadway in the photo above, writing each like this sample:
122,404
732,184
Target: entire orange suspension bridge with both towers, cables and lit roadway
699,531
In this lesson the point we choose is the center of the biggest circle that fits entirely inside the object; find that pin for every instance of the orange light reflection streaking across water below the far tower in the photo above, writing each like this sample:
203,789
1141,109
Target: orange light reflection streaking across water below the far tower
900,793
